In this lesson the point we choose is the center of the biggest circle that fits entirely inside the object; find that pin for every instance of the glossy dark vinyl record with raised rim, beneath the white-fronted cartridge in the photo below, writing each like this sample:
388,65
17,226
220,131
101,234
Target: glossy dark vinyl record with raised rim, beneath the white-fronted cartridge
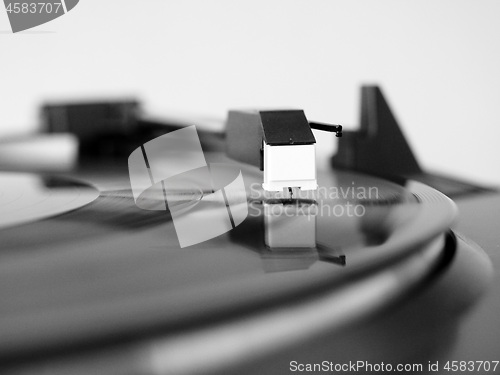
110,269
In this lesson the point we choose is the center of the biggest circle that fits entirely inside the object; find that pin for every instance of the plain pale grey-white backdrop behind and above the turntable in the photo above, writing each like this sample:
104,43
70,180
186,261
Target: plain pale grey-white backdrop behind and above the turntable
436,61
